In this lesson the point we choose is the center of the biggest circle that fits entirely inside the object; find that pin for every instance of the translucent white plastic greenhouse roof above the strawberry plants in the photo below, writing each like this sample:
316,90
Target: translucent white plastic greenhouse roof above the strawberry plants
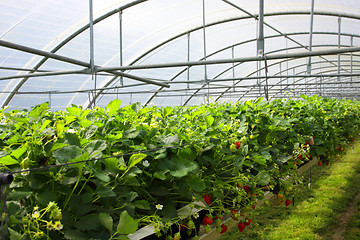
179,52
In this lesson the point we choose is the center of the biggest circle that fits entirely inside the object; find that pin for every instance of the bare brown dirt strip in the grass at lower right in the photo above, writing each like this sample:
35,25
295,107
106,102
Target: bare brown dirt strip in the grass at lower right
345,217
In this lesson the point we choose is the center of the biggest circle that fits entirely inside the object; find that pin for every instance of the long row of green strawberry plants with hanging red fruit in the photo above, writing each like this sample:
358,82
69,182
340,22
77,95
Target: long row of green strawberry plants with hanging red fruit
149,162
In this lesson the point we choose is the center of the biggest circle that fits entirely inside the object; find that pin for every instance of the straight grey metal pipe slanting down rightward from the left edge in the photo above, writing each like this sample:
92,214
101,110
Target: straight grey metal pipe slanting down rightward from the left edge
73,61
